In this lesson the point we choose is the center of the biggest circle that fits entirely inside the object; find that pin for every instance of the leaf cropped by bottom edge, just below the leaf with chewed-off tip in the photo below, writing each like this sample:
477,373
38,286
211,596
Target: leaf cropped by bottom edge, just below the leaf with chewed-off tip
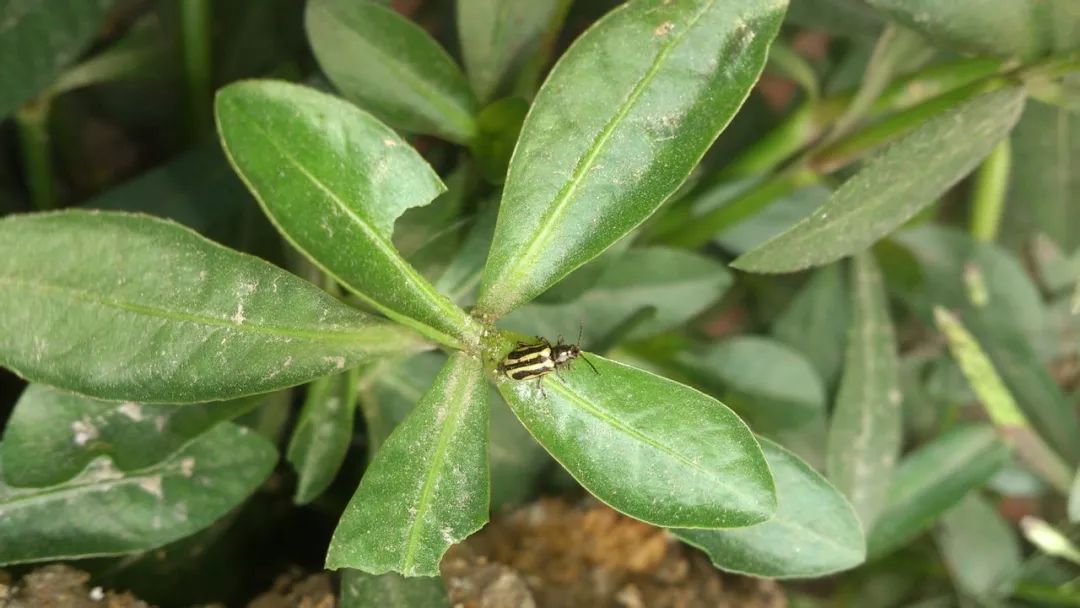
361,590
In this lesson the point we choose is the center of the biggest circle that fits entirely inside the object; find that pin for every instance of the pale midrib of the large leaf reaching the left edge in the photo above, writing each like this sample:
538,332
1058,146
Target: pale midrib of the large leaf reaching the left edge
180,316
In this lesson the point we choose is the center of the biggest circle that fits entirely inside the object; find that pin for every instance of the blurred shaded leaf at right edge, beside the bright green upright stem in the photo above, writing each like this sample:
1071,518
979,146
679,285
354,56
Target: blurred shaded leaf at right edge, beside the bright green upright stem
1045,185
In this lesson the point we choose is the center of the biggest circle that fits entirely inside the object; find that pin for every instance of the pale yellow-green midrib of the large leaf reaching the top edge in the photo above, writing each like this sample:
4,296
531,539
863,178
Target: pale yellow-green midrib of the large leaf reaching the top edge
539,244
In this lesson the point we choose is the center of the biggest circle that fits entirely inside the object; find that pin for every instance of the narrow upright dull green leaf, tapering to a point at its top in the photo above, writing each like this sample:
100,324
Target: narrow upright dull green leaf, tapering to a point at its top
867,429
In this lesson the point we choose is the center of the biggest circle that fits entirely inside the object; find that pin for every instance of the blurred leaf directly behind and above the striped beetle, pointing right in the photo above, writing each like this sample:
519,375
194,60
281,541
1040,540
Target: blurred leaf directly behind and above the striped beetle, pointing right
679,285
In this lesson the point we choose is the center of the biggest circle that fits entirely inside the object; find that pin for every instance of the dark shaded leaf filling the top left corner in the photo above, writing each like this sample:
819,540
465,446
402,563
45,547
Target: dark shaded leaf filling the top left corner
38,39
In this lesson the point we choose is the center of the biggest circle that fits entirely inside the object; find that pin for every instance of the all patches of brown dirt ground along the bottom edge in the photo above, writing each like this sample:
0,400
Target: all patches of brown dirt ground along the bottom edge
550,553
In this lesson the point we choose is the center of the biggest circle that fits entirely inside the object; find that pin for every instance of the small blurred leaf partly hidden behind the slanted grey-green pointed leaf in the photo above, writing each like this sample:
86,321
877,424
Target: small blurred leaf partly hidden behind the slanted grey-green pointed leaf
777,218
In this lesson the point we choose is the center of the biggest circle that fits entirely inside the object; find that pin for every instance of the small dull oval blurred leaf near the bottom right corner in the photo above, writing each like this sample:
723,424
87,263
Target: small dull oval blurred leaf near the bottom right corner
980,548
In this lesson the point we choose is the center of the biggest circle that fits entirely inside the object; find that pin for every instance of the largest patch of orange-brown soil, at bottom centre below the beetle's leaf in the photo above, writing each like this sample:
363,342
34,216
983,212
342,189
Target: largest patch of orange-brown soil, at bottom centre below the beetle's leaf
553,555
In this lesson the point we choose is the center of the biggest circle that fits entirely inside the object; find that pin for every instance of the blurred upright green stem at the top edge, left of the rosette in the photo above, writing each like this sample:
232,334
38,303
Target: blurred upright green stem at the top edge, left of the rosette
196,50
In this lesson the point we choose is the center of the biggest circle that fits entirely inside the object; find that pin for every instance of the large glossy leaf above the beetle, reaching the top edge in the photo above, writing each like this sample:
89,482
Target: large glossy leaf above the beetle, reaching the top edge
622,121
